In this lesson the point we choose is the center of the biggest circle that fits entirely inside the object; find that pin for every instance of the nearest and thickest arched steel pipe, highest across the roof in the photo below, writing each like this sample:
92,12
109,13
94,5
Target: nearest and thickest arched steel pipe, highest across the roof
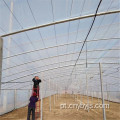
62,21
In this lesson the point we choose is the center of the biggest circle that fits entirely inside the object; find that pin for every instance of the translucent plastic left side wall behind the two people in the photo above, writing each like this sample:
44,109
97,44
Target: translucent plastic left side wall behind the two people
13,99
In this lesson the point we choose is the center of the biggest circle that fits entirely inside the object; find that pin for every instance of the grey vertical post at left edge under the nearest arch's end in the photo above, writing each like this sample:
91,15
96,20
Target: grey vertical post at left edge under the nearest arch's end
1,54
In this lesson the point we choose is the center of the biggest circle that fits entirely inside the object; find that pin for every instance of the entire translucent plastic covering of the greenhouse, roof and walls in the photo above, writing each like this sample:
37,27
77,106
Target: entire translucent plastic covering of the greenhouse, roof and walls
52,52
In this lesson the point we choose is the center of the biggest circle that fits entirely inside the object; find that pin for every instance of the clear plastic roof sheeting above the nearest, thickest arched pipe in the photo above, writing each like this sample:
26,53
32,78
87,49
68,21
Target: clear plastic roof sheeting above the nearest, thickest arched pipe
43,12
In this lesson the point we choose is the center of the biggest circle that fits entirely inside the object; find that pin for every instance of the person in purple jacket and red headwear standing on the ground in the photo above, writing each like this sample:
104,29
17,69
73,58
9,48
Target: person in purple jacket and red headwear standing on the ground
31,107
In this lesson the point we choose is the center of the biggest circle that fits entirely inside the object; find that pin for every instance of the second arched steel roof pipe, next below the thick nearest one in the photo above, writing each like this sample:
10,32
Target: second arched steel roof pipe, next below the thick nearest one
61,55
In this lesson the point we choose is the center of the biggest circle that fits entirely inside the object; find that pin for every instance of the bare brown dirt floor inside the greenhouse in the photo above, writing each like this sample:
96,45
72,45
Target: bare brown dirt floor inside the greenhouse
59,113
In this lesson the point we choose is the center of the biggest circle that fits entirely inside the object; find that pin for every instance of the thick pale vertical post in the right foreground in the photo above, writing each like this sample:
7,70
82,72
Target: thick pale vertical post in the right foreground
102,95
